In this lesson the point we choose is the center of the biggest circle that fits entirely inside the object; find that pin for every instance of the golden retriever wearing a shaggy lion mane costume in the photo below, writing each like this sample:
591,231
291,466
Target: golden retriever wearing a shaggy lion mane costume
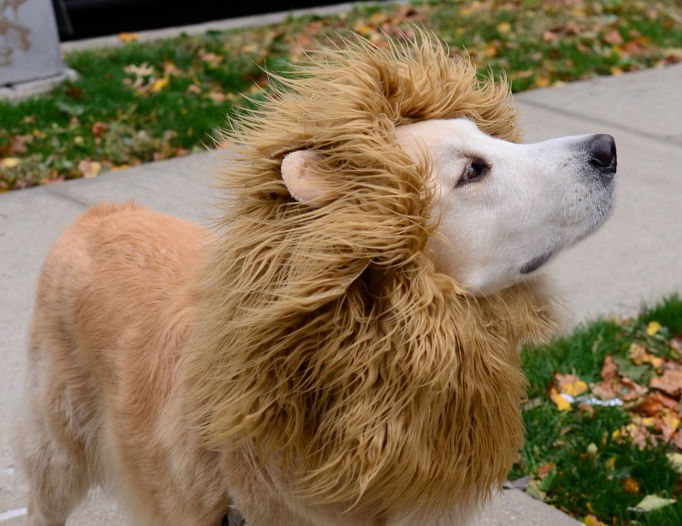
343,348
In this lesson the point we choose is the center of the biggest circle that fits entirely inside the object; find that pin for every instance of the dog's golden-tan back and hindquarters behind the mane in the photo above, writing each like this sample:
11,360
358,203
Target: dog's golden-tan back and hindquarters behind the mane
113,308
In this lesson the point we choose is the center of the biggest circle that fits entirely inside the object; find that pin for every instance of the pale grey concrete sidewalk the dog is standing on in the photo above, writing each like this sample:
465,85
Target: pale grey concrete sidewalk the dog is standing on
635,258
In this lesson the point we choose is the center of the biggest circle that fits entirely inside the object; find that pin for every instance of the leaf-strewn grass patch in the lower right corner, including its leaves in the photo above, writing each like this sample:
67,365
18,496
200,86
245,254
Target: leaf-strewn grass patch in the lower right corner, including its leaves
603,420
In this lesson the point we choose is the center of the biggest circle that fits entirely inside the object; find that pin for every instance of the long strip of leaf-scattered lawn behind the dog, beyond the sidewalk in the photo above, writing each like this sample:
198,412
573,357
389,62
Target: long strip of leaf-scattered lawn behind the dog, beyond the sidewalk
148,101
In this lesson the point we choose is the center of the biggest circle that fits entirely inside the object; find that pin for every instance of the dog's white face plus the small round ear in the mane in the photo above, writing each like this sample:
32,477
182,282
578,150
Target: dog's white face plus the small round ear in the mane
503,209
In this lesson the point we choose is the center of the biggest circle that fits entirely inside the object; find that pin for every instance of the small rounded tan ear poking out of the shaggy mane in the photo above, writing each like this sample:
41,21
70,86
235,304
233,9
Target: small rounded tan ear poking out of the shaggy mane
300,175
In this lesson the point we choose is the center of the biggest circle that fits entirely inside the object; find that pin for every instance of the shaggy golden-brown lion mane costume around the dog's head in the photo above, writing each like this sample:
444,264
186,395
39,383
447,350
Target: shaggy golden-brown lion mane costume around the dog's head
327,342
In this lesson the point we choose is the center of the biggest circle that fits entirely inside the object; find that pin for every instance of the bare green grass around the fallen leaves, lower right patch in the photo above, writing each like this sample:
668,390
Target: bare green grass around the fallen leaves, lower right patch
588,460
